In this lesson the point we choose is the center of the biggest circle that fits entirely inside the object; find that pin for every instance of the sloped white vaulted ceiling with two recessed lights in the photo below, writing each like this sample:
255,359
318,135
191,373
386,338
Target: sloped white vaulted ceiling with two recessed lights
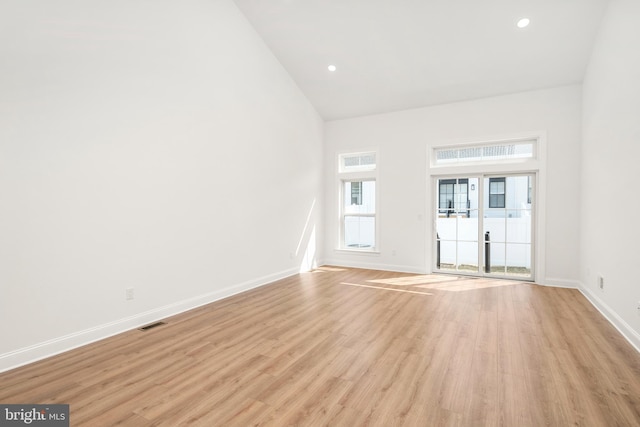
398,54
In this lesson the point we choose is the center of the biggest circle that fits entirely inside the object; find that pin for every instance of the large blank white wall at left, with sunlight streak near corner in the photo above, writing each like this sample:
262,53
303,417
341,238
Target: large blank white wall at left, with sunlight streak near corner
156,145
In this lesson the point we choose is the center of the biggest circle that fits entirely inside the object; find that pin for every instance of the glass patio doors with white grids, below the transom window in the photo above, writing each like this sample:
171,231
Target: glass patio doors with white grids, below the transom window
484,225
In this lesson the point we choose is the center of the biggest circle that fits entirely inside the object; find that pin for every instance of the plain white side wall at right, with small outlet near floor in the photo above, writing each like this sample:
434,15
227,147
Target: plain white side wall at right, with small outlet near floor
611,151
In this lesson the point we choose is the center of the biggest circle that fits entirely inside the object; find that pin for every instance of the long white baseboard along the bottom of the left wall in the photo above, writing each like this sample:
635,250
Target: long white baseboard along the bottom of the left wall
68,342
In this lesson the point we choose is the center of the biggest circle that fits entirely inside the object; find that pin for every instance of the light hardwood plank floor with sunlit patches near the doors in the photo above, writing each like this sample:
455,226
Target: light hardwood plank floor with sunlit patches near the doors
350,347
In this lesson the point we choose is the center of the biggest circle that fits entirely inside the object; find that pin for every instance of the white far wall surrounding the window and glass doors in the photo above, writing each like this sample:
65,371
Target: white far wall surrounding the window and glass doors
402,139
